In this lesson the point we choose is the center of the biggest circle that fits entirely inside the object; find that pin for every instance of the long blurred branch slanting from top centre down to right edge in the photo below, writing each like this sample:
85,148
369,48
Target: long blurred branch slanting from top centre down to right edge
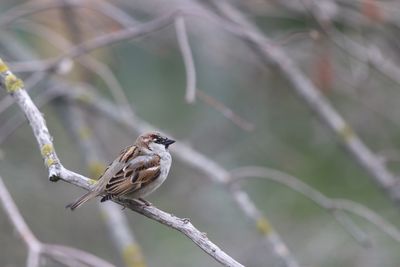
317,102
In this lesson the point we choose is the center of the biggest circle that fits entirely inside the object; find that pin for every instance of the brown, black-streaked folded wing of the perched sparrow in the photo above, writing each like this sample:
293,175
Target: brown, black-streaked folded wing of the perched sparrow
131,172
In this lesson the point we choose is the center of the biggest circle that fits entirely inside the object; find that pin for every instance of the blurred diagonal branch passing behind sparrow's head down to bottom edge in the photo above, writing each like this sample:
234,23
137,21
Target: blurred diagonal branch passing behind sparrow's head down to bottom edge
196,160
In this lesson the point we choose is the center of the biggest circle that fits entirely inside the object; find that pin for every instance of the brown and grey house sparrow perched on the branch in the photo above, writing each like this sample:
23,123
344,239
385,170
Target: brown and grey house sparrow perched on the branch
136,172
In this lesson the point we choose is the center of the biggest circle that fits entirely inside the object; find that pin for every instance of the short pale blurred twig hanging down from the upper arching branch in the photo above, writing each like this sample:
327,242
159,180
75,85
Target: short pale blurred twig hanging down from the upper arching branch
186,52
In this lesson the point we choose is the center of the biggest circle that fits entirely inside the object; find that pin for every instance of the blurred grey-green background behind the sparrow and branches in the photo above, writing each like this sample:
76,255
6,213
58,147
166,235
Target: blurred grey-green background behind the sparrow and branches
246,113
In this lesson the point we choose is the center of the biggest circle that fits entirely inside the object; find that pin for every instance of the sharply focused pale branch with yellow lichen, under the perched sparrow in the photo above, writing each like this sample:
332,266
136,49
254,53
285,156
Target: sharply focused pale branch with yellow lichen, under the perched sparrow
15,87
